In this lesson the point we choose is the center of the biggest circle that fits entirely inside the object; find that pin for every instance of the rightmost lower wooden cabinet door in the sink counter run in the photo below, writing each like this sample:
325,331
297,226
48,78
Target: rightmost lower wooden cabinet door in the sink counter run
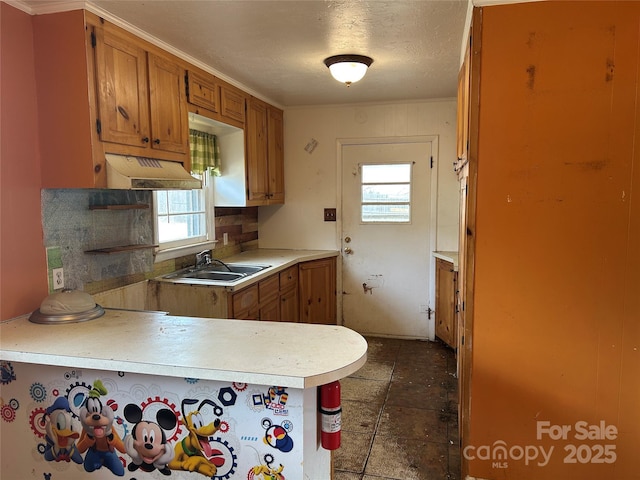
317,280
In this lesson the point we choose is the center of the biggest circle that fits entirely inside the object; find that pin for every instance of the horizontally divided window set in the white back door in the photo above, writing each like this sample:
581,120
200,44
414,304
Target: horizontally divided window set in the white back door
385,193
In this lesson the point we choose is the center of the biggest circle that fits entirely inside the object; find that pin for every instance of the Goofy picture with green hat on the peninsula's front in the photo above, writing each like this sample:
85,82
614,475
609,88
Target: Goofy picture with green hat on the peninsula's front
98,437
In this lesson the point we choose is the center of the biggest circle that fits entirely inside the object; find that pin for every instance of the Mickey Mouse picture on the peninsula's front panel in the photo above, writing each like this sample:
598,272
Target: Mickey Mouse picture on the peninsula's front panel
147,444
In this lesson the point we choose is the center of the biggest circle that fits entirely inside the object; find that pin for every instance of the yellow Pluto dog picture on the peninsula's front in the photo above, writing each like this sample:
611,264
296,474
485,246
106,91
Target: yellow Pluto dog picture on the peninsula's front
194,453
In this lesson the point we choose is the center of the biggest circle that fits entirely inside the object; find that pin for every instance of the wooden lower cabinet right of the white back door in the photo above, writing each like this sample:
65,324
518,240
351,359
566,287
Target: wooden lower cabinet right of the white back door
446,286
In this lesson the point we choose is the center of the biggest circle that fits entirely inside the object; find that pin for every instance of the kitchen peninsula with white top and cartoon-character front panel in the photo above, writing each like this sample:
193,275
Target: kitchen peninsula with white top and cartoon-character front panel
226,399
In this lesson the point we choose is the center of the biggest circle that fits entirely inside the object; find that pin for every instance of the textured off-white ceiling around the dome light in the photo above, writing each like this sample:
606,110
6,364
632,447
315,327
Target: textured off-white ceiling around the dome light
276,48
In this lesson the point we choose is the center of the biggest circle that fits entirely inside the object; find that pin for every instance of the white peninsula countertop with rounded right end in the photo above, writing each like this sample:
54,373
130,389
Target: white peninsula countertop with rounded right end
294,355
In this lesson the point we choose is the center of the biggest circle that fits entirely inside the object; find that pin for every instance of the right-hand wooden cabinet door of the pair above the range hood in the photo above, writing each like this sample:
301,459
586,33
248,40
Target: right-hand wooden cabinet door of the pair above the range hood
168,105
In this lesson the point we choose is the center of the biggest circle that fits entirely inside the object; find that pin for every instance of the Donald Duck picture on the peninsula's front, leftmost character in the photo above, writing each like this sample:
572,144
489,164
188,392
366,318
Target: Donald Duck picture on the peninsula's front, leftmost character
60,433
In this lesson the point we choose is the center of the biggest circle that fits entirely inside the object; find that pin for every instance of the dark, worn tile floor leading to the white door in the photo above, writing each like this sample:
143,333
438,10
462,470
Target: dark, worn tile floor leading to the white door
399,418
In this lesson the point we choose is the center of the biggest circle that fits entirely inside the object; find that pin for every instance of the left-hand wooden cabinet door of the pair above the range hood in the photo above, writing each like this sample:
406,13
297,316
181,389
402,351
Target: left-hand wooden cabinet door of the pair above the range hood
122,96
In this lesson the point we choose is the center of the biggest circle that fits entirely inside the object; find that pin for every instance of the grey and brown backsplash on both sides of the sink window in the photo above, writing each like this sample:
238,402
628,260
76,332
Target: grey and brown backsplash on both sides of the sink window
70,224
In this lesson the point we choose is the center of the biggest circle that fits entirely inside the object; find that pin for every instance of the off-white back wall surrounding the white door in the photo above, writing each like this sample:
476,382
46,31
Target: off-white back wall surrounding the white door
311,179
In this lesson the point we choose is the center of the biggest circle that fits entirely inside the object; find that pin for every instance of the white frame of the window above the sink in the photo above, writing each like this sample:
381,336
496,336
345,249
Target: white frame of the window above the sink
177,248
